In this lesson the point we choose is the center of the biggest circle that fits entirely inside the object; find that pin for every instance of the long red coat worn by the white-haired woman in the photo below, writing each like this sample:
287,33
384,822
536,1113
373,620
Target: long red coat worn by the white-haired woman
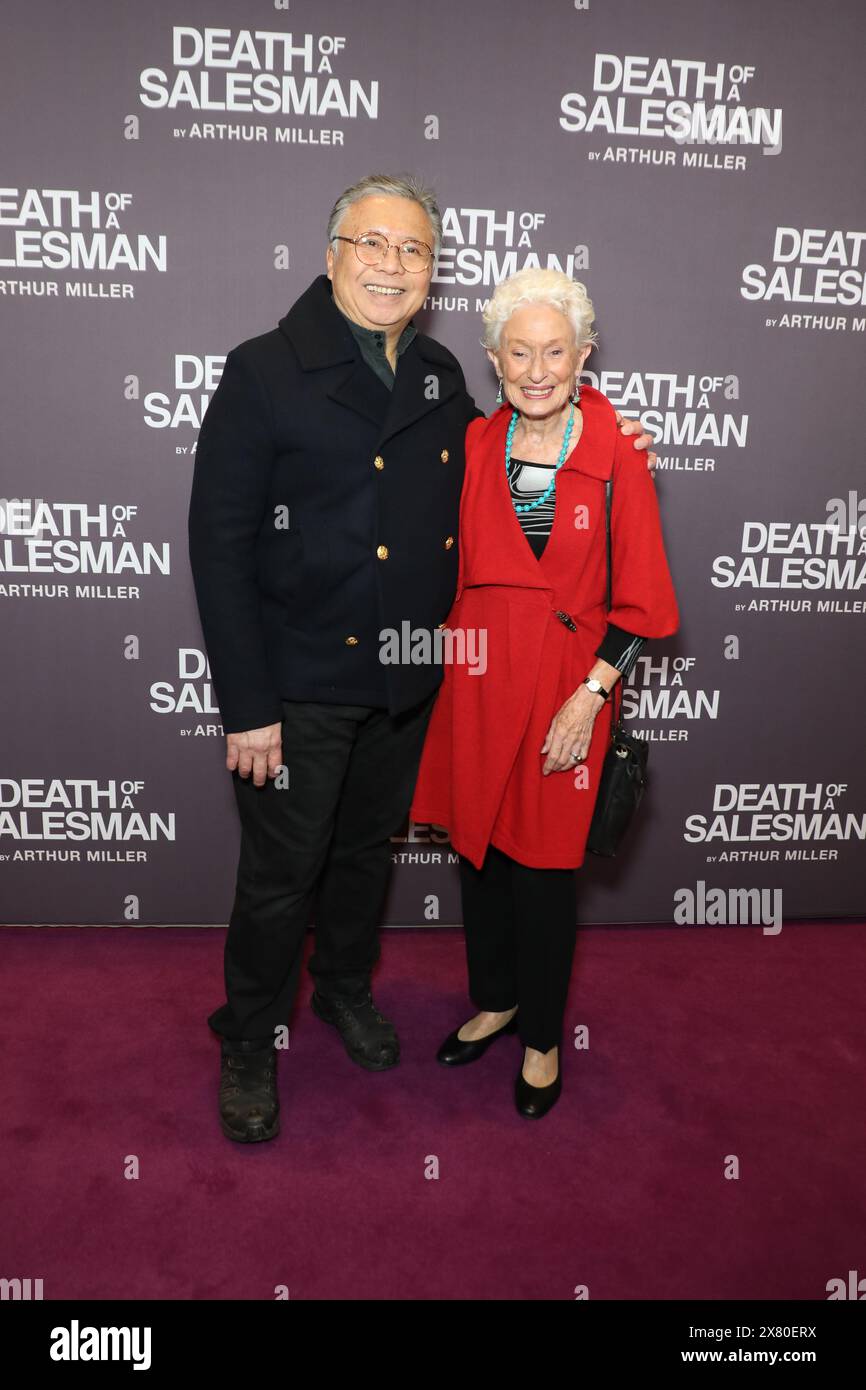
482,765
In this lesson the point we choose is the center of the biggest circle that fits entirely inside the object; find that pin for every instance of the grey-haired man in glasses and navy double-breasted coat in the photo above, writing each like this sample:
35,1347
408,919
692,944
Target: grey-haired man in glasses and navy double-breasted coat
325,511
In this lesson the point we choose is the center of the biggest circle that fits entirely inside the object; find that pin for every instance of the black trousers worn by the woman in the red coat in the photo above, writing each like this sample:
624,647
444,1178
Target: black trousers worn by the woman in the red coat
521,932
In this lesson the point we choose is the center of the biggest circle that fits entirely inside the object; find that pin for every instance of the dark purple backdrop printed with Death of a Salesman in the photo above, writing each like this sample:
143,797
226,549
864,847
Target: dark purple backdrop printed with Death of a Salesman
168,172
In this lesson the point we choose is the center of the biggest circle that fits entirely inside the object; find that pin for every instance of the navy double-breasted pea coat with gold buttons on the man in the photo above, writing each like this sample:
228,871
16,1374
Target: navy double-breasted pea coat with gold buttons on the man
325,515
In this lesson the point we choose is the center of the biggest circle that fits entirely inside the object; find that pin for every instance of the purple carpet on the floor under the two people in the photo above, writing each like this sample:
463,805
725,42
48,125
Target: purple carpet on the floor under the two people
704,1043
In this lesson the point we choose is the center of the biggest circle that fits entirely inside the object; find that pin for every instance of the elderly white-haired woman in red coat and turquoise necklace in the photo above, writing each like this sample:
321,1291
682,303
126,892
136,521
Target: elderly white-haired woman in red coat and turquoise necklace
514,757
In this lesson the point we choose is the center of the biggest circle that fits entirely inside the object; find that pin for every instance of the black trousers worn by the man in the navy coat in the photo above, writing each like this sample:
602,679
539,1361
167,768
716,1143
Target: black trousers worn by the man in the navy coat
323,843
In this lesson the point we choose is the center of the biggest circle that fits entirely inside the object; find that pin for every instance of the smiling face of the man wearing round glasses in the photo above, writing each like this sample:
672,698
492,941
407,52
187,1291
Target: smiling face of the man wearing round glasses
380,297
